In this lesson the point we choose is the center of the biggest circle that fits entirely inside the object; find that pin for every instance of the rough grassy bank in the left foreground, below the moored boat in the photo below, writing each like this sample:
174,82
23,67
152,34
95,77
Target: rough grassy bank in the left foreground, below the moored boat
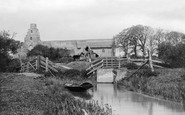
25,95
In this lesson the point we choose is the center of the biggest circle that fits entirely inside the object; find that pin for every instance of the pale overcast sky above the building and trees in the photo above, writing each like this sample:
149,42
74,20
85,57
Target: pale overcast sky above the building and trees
88,19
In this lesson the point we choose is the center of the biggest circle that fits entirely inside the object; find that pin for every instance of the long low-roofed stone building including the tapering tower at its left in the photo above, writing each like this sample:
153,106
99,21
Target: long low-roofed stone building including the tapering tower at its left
103,47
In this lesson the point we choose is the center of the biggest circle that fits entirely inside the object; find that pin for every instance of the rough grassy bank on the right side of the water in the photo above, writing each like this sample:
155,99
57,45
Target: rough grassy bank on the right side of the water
168,84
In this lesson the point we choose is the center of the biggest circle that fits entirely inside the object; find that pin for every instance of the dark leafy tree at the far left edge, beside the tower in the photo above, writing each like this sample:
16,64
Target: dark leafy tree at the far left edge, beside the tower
8,47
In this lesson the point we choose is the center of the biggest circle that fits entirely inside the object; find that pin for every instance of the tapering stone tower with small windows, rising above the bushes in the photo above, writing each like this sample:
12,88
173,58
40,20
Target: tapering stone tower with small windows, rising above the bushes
32,38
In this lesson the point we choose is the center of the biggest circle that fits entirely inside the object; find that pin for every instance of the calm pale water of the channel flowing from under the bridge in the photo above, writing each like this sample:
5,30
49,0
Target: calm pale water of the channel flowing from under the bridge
124,102
